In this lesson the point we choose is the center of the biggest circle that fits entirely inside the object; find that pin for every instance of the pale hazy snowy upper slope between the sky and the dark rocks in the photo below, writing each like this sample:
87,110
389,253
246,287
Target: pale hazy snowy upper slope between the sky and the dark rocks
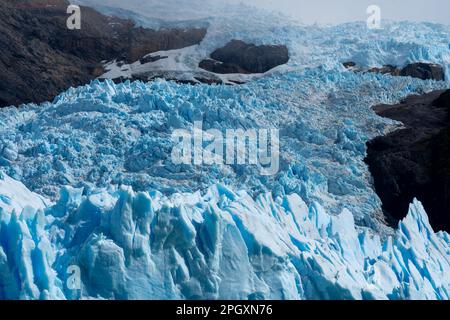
309,45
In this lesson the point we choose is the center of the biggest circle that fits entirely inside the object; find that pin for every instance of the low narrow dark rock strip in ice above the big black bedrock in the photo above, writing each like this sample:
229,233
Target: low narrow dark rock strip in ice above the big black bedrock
420,70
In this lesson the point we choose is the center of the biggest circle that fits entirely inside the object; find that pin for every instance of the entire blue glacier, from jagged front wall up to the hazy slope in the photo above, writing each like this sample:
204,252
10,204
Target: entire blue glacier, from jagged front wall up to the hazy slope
87,181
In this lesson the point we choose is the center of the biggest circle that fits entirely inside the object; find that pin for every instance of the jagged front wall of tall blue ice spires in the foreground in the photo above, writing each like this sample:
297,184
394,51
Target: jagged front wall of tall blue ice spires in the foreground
220,245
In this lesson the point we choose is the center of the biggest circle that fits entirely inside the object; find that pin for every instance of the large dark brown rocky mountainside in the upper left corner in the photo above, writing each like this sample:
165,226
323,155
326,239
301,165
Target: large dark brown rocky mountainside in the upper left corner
40,57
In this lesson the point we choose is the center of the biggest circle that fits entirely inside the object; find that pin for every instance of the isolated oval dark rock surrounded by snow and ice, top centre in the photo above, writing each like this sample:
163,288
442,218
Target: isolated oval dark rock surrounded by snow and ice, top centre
240,57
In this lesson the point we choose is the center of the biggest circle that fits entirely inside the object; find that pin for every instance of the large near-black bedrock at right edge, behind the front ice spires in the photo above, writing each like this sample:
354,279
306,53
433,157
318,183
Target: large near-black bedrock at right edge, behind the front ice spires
414,162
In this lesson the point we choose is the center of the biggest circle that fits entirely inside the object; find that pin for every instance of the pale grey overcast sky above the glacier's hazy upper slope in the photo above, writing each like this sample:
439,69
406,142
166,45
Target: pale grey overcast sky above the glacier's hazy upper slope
338,11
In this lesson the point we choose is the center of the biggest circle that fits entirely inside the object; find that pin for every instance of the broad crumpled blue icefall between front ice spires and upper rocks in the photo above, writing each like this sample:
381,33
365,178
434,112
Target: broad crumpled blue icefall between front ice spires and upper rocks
103,134
